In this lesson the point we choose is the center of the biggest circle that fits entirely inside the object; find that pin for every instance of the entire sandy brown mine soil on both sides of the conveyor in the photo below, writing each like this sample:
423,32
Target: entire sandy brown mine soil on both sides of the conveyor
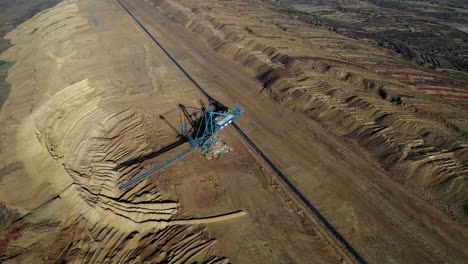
384,161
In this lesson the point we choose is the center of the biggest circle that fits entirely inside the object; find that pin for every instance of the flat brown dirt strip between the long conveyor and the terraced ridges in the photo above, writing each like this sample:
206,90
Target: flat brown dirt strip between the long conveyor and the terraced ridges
382,220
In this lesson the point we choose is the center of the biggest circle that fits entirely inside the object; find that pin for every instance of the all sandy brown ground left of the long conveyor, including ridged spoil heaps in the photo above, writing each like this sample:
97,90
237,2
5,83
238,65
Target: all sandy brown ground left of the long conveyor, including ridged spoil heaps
87,91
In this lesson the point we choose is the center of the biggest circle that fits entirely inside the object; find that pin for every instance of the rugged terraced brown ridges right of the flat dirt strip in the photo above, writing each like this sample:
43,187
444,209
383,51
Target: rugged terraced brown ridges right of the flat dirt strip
418,139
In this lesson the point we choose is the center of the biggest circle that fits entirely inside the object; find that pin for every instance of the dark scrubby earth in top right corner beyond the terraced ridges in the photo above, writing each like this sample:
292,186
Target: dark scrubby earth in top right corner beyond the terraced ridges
427,32
